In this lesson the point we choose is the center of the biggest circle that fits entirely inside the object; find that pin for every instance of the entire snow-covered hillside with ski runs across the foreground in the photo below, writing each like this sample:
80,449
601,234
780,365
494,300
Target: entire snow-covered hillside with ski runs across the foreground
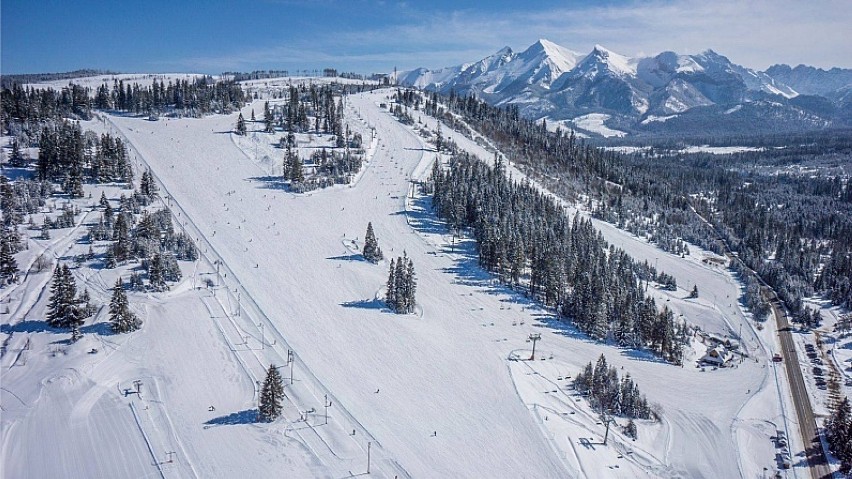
440,393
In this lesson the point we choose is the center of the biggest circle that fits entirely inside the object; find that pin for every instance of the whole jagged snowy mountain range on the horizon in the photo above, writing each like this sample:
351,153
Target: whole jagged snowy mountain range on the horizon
666,93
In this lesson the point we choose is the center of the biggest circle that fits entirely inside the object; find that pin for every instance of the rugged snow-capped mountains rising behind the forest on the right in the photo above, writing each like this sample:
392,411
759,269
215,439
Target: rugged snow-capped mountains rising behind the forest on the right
549,80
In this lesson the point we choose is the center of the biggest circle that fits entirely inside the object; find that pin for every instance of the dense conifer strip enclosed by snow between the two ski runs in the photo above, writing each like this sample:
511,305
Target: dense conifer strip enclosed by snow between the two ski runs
529,242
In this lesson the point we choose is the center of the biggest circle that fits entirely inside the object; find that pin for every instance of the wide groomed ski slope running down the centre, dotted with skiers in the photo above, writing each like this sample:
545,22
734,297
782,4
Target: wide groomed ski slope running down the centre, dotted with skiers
445,405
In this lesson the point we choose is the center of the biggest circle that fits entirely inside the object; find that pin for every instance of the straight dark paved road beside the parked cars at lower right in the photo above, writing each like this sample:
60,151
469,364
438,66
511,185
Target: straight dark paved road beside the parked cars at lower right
801,400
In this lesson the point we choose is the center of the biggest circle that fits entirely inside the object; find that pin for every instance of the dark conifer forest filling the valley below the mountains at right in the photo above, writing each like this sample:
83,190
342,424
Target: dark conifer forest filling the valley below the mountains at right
790,226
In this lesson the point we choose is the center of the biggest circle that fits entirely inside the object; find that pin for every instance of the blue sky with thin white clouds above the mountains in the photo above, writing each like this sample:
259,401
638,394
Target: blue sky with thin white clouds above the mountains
365,36
